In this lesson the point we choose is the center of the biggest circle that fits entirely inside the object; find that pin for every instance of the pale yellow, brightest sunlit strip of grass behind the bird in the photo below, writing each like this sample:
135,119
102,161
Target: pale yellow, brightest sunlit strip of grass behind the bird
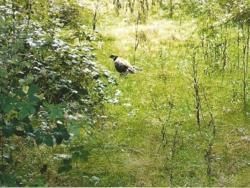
152,33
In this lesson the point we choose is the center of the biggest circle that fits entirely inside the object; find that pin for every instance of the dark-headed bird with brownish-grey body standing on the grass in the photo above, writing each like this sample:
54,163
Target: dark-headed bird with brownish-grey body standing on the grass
122,66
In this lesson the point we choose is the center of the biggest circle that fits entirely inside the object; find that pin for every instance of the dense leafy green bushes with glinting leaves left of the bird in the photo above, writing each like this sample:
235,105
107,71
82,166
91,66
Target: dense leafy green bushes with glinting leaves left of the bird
46,82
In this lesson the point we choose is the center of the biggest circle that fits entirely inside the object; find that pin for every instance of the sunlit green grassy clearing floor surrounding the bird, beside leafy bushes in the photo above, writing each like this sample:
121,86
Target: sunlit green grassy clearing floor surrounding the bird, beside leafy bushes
150,134
